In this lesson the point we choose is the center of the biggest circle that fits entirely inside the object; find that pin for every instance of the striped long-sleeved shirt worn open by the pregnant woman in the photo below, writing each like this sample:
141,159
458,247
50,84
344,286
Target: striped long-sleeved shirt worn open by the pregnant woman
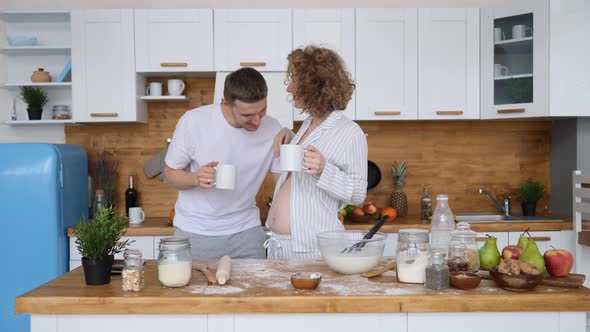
316,199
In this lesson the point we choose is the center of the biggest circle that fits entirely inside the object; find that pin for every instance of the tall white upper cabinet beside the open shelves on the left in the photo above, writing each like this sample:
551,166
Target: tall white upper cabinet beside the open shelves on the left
103,67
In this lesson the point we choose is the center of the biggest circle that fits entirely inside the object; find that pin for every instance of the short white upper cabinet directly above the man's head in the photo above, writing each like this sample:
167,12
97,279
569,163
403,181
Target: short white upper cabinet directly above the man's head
259,38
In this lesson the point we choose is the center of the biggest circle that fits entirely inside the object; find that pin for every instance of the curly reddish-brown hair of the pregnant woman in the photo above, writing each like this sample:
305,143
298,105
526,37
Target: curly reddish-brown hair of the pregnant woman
320,80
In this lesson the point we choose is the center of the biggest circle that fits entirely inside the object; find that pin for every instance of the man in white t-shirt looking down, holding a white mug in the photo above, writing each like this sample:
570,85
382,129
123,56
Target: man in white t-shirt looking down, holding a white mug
237,132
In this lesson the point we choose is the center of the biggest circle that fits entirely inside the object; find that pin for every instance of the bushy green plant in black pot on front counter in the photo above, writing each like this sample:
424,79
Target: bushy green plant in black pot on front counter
98,241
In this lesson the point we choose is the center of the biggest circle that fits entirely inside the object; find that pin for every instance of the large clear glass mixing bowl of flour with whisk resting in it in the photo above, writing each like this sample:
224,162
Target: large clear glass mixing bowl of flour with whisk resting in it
333,243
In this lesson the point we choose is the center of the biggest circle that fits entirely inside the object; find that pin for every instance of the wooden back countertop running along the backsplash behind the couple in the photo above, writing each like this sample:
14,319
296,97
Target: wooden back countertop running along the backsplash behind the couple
162,227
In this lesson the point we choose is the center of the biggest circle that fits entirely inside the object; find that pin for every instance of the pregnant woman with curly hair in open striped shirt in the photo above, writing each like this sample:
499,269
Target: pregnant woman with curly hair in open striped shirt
335,158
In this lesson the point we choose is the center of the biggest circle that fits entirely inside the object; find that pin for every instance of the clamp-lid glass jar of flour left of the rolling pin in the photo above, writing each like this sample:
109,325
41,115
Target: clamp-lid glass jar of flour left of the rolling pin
174,262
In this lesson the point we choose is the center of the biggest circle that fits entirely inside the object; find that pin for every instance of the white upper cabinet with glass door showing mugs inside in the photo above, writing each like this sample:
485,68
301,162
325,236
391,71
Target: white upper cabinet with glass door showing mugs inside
514,60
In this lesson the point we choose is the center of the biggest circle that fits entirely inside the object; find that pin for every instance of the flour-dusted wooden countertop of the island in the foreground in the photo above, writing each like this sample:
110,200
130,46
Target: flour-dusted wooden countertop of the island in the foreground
263,286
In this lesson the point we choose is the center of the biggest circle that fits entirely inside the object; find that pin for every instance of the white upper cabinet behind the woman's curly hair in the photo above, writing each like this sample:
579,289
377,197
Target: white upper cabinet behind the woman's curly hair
329,27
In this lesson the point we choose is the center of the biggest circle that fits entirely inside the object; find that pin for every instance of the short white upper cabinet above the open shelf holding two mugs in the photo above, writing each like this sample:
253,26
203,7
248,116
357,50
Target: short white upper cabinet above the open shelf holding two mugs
173,40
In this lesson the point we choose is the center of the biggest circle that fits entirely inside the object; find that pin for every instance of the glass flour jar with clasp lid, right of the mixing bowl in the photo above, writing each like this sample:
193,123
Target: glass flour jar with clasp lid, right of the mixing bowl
413,250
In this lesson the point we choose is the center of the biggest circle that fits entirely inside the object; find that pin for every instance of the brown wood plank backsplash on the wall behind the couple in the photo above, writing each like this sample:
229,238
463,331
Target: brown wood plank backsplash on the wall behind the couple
452,157
